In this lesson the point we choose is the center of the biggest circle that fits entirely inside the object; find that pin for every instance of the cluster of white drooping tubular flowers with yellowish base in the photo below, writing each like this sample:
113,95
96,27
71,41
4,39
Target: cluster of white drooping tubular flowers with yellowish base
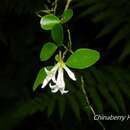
58,81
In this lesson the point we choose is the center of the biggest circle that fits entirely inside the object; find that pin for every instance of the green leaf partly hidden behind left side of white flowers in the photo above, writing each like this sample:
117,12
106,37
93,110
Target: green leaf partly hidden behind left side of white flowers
39,79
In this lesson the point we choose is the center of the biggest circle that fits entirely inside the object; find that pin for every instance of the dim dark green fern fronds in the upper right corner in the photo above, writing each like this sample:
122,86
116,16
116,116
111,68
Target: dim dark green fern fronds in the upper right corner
115,15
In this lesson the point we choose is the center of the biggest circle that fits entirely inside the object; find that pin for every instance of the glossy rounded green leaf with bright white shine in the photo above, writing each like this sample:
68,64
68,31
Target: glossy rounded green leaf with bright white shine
48,21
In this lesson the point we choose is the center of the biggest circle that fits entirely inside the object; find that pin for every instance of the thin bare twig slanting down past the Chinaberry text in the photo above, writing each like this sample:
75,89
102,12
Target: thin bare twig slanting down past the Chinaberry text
88,103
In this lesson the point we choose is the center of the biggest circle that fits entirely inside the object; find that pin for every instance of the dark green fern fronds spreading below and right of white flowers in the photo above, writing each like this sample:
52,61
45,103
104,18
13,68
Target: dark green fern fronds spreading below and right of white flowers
109,84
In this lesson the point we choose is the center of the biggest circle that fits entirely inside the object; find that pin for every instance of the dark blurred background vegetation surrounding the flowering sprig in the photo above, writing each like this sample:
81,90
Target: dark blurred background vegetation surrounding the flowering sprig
103,25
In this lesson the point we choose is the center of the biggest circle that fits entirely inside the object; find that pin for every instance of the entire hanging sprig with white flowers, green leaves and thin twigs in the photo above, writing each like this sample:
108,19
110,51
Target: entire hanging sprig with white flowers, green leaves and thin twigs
53,76
